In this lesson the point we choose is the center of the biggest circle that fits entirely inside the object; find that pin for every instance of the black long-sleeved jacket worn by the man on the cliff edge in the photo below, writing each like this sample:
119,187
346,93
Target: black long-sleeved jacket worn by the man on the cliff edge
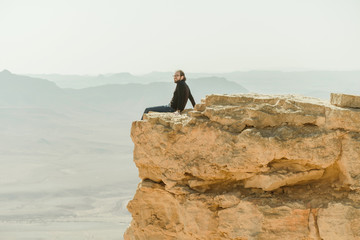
181,95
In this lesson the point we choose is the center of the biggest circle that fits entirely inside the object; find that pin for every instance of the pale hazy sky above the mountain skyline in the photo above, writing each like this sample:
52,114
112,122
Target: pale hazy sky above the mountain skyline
140,36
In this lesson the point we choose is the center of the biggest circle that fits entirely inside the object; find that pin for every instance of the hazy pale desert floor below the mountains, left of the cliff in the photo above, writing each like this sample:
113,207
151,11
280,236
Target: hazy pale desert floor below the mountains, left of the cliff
64,175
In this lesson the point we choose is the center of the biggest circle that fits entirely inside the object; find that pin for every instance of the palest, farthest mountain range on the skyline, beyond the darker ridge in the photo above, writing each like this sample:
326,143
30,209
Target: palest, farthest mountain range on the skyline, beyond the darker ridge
309,83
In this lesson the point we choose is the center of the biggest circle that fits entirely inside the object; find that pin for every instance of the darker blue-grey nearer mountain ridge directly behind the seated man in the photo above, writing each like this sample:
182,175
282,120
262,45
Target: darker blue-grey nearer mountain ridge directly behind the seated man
29,91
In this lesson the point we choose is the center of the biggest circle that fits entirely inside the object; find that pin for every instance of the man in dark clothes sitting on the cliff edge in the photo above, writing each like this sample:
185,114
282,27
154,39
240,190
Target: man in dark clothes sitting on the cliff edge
181,95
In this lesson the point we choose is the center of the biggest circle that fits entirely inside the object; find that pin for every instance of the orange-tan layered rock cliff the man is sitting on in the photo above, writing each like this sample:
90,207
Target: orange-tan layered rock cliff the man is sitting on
248,167
